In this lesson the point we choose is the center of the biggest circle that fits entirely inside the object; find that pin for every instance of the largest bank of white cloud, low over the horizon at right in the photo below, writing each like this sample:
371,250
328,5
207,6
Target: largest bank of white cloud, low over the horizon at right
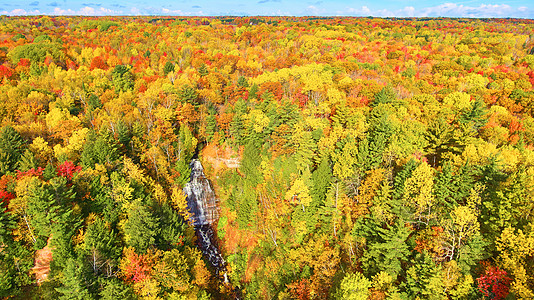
446,10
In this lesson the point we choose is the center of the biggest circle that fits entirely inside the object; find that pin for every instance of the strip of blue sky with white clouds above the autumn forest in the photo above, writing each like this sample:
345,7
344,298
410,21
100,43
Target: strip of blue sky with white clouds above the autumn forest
378,8
